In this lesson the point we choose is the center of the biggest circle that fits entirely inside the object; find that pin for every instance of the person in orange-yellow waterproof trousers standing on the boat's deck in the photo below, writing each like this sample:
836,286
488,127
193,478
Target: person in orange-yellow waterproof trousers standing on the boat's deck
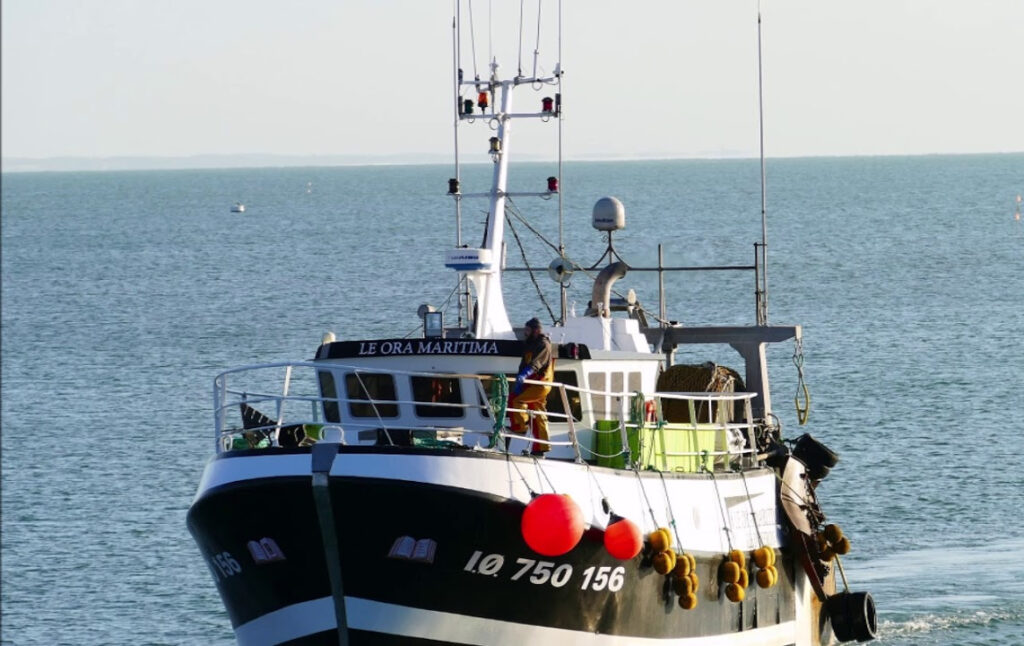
538,365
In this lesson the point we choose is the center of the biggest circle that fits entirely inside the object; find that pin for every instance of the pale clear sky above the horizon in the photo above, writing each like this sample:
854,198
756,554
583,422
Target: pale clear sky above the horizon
648,79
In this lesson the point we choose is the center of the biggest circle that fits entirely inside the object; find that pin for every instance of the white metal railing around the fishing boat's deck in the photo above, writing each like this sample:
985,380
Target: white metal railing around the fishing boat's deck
275,405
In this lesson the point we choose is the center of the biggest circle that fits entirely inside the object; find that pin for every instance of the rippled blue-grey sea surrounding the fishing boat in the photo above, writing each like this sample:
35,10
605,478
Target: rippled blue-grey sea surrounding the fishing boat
124,293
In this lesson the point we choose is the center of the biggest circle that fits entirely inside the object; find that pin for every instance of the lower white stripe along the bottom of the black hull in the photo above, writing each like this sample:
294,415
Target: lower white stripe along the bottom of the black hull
318,616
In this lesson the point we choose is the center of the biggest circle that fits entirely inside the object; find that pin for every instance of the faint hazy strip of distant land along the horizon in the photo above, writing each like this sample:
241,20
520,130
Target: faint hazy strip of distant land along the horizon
242,162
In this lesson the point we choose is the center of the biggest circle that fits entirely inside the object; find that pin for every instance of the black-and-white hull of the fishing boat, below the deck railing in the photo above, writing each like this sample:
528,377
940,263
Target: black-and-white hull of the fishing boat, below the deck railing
475,580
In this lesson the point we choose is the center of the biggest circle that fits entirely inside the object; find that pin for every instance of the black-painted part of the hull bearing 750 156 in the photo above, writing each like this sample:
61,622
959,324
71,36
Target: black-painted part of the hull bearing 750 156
481,572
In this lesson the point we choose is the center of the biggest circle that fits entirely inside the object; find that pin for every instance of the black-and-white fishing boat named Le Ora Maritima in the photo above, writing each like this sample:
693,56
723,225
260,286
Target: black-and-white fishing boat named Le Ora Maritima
377,495
